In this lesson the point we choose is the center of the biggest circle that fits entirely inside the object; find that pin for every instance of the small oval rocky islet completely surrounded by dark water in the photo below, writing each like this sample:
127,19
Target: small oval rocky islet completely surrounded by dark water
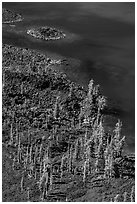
46,33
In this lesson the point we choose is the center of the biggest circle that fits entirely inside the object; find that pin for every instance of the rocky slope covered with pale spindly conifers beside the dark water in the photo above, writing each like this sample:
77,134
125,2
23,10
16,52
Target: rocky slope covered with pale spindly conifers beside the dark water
55,147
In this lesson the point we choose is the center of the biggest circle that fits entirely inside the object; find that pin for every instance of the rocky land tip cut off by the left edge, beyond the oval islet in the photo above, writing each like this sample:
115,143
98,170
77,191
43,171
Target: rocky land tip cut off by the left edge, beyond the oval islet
10,16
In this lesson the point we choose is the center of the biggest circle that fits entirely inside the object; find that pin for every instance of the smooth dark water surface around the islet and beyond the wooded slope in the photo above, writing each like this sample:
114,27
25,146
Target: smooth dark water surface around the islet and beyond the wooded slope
104,42
